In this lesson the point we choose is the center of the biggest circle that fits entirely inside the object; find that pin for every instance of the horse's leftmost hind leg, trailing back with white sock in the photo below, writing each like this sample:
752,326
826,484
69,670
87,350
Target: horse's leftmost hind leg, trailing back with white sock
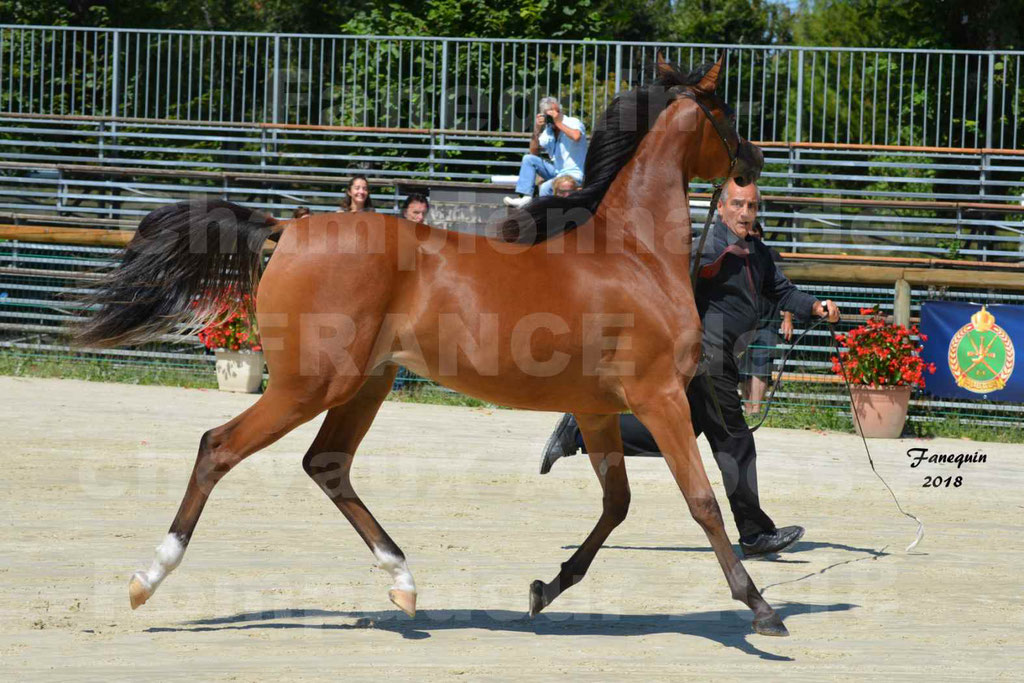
276,414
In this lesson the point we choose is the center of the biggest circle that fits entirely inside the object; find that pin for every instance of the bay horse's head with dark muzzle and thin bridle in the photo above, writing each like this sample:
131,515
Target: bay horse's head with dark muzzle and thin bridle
721,152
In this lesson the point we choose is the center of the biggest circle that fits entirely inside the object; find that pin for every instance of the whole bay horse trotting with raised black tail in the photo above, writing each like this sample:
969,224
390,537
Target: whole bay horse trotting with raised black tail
579,305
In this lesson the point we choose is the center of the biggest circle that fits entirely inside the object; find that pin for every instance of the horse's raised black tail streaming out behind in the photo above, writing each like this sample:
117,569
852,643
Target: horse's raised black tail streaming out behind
184,260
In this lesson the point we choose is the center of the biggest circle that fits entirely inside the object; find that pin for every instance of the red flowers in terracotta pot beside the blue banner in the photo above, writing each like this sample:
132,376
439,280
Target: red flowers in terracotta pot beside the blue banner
882,364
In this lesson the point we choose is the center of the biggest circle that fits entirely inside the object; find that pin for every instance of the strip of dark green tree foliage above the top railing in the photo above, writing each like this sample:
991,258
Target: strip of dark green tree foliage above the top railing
908,24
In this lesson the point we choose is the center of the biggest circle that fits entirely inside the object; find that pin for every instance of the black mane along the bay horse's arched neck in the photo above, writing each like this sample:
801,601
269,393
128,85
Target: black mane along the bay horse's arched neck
613,144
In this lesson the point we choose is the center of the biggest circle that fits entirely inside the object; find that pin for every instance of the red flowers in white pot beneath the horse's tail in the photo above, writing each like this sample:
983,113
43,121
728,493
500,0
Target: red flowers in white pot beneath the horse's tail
235,340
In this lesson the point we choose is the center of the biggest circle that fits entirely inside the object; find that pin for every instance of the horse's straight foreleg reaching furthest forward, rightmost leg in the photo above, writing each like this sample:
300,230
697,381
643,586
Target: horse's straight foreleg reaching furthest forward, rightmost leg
668,418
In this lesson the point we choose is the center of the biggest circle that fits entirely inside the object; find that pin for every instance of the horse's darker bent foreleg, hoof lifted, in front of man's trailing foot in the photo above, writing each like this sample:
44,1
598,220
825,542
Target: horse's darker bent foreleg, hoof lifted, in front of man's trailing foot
605,443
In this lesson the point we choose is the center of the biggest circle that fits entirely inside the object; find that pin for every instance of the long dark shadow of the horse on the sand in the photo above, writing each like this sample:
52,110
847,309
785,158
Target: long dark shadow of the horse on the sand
731,628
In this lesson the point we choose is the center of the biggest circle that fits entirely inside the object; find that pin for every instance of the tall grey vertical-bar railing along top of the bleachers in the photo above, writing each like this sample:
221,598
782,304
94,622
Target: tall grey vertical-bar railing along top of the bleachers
941,99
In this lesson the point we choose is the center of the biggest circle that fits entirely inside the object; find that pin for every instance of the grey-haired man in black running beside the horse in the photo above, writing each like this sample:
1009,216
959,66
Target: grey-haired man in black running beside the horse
737,272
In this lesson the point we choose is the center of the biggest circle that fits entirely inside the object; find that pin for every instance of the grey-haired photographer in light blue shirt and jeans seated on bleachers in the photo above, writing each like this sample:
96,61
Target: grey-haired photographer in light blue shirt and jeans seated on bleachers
564,139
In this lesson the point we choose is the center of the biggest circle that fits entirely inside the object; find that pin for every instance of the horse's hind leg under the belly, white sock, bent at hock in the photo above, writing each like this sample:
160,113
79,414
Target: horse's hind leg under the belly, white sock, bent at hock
329,462
